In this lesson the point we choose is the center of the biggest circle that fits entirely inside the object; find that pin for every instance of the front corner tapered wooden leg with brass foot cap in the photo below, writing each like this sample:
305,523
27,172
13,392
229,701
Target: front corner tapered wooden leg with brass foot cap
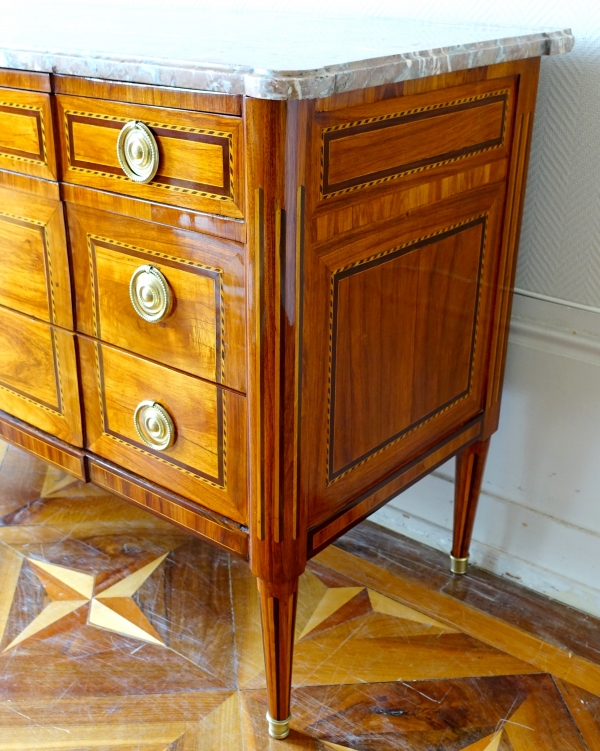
278,613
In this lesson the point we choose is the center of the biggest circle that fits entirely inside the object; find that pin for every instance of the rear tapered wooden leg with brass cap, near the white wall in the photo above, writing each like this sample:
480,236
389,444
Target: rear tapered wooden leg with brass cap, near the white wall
470,465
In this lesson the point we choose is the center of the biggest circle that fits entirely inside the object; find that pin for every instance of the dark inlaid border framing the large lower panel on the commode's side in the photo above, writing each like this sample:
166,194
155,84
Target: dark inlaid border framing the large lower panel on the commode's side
349,269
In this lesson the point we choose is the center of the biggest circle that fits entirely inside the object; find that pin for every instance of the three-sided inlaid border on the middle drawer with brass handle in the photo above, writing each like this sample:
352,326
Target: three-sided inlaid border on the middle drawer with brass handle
182,263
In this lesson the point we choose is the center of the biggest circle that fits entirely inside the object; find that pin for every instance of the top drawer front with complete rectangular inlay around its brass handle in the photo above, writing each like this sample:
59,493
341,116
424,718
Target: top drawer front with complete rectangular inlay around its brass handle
199,155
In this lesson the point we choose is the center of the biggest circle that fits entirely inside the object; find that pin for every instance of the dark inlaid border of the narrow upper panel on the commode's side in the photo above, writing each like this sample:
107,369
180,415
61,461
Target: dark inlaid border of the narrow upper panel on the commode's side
355,127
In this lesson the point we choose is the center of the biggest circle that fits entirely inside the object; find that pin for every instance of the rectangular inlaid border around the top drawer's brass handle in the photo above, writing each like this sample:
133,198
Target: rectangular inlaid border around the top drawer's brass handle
204,135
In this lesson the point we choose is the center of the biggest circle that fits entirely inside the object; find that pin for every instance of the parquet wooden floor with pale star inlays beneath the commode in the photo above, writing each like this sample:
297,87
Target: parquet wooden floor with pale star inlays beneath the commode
118,631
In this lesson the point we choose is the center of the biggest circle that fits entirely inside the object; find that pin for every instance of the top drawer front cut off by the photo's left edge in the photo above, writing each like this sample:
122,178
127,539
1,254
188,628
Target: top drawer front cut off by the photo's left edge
26,136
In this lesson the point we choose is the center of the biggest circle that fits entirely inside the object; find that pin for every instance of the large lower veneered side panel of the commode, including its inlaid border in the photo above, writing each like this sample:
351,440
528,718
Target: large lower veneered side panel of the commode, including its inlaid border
406,348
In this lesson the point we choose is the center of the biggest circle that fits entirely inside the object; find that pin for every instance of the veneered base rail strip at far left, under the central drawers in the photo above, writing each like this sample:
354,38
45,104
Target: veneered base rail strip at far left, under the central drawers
46,447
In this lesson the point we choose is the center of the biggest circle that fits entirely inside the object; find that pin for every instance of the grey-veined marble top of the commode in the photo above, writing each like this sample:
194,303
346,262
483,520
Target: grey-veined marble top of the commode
265,55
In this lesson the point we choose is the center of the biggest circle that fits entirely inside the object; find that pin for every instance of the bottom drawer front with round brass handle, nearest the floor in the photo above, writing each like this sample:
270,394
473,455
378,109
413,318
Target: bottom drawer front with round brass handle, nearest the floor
207,460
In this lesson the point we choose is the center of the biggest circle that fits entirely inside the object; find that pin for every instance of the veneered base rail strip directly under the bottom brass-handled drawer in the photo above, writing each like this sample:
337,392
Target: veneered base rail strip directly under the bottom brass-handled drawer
161,502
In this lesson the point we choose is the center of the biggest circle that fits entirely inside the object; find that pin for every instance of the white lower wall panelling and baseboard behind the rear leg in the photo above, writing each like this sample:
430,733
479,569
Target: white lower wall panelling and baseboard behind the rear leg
538,520
